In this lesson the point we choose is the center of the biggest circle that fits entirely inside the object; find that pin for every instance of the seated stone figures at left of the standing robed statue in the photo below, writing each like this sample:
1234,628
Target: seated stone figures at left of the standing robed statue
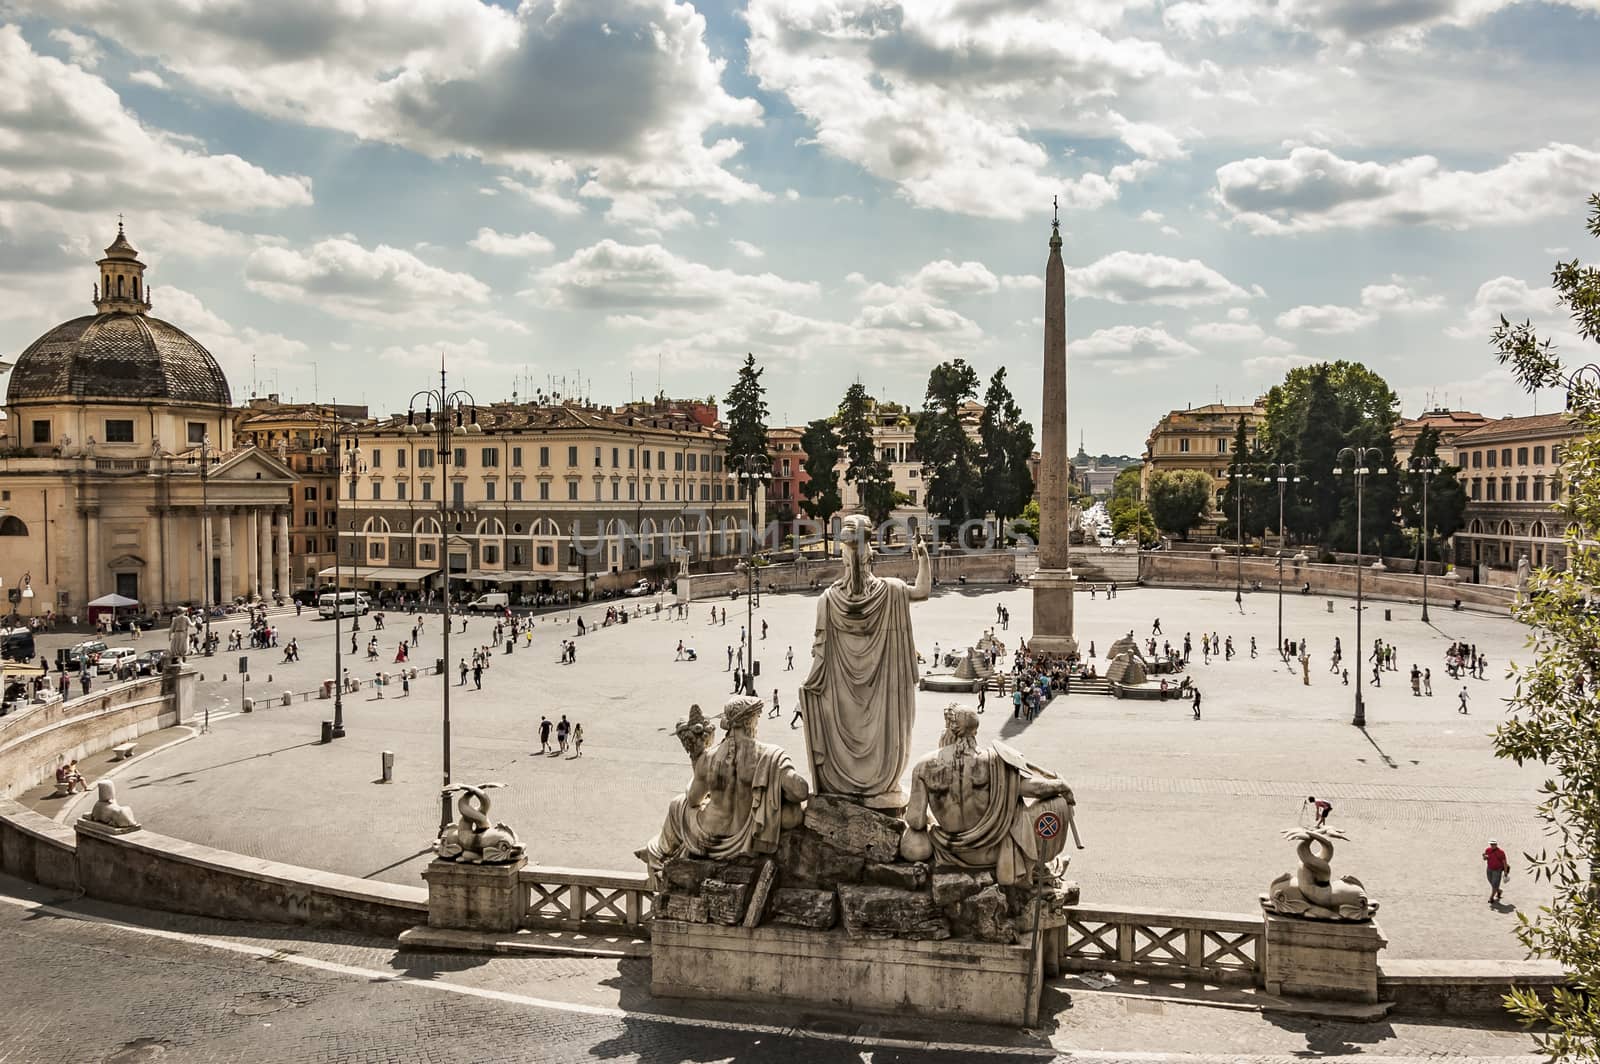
743,793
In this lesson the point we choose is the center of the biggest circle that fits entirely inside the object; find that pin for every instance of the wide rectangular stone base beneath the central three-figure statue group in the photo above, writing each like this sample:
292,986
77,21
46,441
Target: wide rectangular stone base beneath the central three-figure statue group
953,980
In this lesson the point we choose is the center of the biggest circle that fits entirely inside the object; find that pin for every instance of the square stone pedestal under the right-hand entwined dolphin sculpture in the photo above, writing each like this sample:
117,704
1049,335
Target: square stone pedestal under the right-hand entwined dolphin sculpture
1321,959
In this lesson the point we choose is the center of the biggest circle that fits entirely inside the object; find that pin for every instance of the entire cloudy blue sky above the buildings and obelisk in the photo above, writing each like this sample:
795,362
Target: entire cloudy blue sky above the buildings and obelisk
599,194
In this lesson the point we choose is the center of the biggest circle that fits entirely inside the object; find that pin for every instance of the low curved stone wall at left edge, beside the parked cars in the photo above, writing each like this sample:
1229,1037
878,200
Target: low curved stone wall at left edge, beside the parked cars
34,742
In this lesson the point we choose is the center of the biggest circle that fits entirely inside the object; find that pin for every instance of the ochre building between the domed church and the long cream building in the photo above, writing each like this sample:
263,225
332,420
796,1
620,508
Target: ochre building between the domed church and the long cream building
302,438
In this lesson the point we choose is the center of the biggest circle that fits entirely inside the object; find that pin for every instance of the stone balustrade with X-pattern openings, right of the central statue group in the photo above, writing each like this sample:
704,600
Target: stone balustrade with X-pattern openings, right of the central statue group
1154,943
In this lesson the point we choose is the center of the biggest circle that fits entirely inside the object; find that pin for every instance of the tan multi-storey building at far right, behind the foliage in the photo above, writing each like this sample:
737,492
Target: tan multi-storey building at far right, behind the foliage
1513,473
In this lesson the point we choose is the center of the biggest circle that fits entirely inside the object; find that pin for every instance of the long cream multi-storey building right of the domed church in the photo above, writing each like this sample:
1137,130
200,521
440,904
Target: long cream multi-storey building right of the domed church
538,500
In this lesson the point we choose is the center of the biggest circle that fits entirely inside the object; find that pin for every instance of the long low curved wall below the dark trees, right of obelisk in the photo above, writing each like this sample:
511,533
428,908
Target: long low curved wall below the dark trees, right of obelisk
1162,569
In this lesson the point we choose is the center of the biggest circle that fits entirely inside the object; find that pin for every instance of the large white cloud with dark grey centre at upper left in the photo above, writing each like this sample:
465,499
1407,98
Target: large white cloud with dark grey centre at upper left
466,78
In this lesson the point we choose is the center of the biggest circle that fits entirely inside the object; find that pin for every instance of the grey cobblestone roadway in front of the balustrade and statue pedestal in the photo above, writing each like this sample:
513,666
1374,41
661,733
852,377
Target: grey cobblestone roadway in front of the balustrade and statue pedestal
103,983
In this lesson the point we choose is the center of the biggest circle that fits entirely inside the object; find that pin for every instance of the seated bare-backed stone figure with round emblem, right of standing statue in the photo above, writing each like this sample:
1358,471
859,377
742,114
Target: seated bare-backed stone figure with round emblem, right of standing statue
985,806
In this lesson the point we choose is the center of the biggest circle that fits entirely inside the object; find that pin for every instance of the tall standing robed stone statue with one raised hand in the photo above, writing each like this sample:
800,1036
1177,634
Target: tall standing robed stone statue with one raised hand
860,702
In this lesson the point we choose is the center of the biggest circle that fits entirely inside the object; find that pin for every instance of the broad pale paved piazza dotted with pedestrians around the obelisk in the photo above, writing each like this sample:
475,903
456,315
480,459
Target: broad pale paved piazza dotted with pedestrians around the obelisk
1175,814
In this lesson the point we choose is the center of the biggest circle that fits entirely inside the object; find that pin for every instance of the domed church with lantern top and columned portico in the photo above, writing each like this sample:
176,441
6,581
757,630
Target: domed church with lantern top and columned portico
121,473
